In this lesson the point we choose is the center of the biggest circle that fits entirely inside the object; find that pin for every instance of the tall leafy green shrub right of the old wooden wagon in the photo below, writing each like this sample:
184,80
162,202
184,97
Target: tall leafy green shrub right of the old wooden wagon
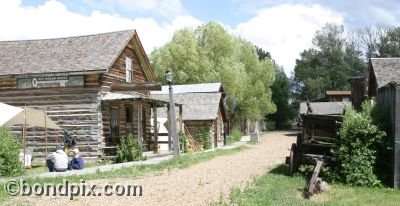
355,155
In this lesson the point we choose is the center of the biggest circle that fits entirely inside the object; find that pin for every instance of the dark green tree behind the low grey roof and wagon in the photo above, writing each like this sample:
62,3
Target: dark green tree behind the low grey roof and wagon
327,65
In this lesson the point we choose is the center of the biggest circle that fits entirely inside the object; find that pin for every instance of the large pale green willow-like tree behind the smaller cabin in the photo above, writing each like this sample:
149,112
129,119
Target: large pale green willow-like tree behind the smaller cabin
211,54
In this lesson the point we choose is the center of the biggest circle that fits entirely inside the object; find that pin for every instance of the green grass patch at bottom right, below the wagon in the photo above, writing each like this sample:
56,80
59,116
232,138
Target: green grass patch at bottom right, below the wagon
277,188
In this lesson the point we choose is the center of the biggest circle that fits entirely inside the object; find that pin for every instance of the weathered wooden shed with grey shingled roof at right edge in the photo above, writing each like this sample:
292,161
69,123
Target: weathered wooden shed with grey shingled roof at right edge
383,83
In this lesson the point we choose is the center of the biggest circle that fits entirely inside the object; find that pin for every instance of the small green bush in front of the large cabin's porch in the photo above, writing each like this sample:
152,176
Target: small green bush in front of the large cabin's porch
129,149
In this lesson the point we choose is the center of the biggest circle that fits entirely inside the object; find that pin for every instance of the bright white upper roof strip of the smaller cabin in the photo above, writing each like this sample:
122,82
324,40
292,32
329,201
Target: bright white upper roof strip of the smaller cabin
191,88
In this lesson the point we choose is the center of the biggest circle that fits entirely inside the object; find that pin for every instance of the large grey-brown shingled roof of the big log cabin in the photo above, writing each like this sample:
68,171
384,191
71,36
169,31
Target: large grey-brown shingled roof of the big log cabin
81,53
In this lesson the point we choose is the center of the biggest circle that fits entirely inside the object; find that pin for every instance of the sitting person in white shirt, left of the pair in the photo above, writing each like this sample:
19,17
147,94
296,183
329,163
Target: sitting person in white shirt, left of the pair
58,160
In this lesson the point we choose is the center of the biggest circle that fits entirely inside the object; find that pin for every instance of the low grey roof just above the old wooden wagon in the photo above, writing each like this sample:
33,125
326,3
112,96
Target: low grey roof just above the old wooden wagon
324,107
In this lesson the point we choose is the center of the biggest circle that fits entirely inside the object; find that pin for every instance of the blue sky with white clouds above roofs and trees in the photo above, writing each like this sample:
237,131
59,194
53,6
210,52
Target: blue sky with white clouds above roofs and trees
282,27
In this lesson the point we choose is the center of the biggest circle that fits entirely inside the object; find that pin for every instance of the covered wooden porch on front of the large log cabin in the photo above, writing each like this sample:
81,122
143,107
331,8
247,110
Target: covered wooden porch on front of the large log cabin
133,114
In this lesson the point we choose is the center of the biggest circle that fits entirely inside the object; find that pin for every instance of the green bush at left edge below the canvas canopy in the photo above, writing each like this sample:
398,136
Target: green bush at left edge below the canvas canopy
9,154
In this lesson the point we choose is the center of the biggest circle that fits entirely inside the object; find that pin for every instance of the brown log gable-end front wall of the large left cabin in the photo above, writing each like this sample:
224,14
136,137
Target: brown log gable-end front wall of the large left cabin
116,75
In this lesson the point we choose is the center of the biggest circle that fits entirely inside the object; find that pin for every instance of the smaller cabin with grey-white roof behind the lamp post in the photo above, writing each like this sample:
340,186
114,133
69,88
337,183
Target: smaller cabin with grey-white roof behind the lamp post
202,107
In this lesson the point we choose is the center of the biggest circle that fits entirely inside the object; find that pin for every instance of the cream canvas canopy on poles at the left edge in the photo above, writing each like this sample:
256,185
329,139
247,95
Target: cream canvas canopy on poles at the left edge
11,116
